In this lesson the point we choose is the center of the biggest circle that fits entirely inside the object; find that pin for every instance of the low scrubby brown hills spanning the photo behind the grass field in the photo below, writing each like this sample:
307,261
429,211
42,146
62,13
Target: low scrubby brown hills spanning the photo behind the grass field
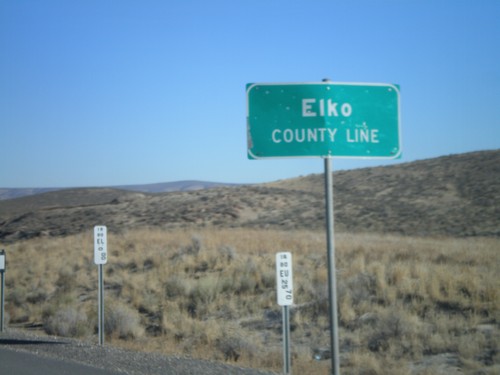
456,195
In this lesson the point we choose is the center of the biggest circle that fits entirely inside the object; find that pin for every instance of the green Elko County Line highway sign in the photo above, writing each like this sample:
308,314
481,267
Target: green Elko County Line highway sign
324,119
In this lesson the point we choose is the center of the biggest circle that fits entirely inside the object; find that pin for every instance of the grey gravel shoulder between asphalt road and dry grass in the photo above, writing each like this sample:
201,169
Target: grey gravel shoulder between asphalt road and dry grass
112,358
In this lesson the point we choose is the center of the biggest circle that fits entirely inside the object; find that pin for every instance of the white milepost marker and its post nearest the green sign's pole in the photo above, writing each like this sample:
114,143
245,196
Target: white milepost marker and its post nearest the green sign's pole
284,286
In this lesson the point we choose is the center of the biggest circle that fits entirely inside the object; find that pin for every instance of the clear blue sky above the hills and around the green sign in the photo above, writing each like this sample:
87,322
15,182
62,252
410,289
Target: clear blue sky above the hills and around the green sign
103,92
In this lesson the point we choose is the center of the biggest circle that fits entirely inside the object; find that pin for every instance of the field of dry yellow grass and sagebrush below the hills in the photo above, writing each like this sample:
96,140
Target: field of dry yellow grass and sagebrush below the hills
404,302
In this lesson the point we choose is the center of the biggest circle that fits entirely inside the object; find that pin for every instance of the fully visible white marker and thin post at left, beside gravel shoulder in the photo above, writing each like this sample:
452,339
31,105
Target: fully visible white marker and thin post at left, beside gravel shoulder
100,258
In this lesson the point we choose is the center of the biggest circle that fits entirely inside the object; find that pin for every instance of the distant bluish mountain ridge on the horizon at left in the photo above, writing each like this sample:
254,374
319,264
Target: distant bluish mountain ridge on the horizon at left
163,187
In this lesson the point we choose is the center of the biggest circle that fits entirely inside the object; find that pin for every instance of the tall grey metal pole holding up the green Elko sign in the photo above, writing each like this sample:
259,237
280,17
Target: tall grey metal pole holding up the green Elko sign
332,278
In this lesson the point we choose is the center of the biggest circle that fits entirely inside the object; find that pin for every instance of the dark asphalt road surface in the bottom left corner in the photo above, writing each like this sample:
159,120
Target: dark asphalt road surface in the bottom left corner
24,363
